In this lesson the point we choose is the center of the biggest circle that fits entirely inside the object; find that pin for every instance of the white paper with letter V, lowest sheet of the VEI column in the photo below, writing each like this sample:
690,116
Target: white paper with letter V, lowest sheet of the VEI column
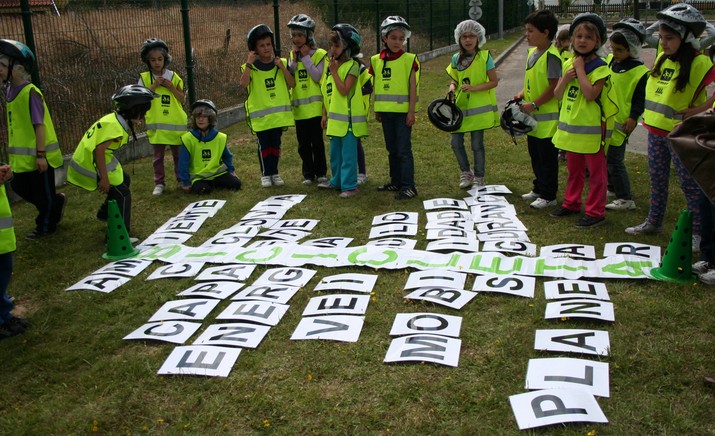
333,327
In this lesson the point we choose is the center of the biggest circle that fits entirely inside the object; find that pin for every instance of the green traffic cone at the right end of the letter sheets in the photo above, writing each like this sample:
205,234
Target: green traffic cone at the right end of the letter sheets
676,265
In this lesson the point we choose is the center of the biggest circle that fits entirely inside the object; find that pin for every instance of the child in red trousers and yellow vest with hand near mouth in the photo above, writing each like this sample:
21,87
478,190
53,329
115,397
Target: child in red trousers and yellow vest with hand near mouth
582,133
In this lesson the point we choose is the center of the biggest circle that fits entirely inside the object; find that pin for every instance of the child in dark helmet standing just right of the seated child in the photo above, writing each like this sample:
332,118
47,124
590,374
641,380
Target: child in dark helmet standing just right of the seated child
268,107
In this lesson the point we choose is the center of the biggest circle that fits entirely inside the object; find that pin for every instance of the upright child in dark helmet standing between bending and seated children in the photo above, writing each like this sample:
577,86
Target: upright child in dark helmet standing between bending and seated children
166,120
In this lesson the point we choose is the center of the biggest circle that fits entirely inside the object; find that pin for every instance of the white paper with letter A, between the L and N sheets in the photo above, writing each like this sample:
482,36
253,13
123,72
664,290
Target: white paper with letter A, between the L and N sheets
573,341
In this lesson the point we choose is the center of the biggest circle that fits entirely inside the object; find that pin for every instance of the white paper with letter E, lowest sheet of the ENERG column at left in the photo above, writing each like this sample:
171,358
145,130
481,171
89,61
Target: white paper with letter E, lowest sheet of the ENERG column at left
200,360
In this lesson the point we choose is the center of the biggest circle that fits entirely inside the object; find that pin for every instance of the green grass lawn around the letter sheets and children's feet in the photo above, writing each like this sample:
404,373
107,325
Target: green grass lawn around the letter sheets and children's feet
72,373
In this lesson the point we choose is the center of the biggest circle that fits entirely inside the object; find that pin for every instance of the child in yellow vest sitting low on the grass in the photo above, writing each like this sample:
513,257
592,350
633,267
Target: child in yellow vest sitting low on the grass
204,160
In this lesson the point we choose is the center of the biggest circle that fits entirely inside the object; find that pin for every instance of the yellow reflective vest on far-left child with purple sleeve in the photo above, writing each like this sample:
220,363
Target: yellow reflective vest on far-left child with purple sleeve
22,143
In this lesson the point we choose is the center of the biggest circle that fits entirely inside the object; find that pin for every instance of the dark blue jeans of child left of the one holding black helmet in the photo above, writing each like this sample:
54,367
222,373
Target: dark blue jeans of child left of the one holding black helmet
398,141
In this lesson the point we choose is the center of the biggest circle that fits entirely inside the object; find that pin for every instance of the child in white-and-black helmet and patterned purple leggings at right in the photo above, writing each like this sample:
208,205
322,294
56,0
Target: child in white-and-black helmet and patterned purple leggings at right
674,91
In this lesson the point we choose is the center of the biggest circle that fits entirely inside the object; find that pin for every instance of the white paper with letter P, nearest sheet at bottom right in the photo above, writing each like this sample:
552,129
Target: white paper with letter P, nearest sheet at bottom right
555,406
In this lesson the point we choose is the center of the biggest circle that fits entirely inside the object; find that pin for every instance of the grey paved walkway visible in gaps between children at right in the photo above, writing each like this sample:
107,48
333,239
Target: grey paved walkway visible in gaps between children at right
511,74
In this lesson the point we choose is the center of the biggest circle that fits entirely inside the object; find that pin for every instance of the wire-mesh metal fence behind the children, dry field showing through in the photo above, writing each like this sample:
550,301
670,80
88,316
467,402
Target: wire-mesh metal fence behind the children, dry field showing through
91,48
